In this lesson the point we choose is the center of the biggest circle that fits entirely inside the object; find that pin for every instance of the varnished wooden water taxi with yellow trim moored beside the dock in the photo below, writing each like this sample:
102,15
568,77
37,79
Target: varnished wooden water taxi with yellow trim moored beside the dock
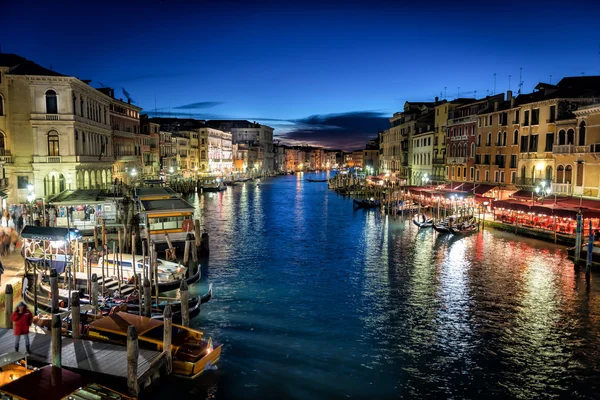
192,353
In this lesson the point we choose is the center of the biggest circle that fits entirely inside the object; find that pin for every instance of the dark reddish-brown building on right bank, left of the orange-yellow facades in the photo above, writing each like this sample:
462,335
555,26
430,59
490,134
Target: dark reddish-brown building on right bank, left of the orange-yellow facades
460,139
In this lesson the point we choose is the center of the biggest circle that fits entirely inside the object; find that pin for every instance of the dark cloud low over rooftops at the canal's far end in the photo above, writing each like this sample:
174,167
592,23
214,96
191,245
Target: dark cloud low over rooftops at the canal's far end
347,131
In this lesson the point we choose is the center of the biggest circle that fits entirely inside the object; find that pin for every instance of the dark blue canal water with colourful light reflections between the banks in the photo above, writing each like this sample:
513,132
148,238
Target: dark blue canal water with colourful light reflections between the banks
315,300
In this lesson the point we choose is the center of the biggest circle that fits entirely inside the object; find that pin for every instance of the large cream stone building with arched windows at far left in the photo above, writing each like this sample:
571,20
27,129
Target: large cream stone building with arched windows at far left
55,132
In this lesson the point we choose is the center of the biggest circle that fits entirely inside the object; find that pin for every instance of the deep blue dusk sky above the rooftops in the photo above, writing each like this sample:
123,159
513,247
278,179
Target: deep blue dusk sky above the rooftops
324,72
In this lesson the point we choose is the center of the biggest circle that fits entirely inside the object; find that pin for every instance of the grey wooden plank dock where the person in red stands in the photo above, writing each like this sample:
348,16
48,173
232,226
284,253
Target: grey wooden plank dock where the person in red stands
81,354
